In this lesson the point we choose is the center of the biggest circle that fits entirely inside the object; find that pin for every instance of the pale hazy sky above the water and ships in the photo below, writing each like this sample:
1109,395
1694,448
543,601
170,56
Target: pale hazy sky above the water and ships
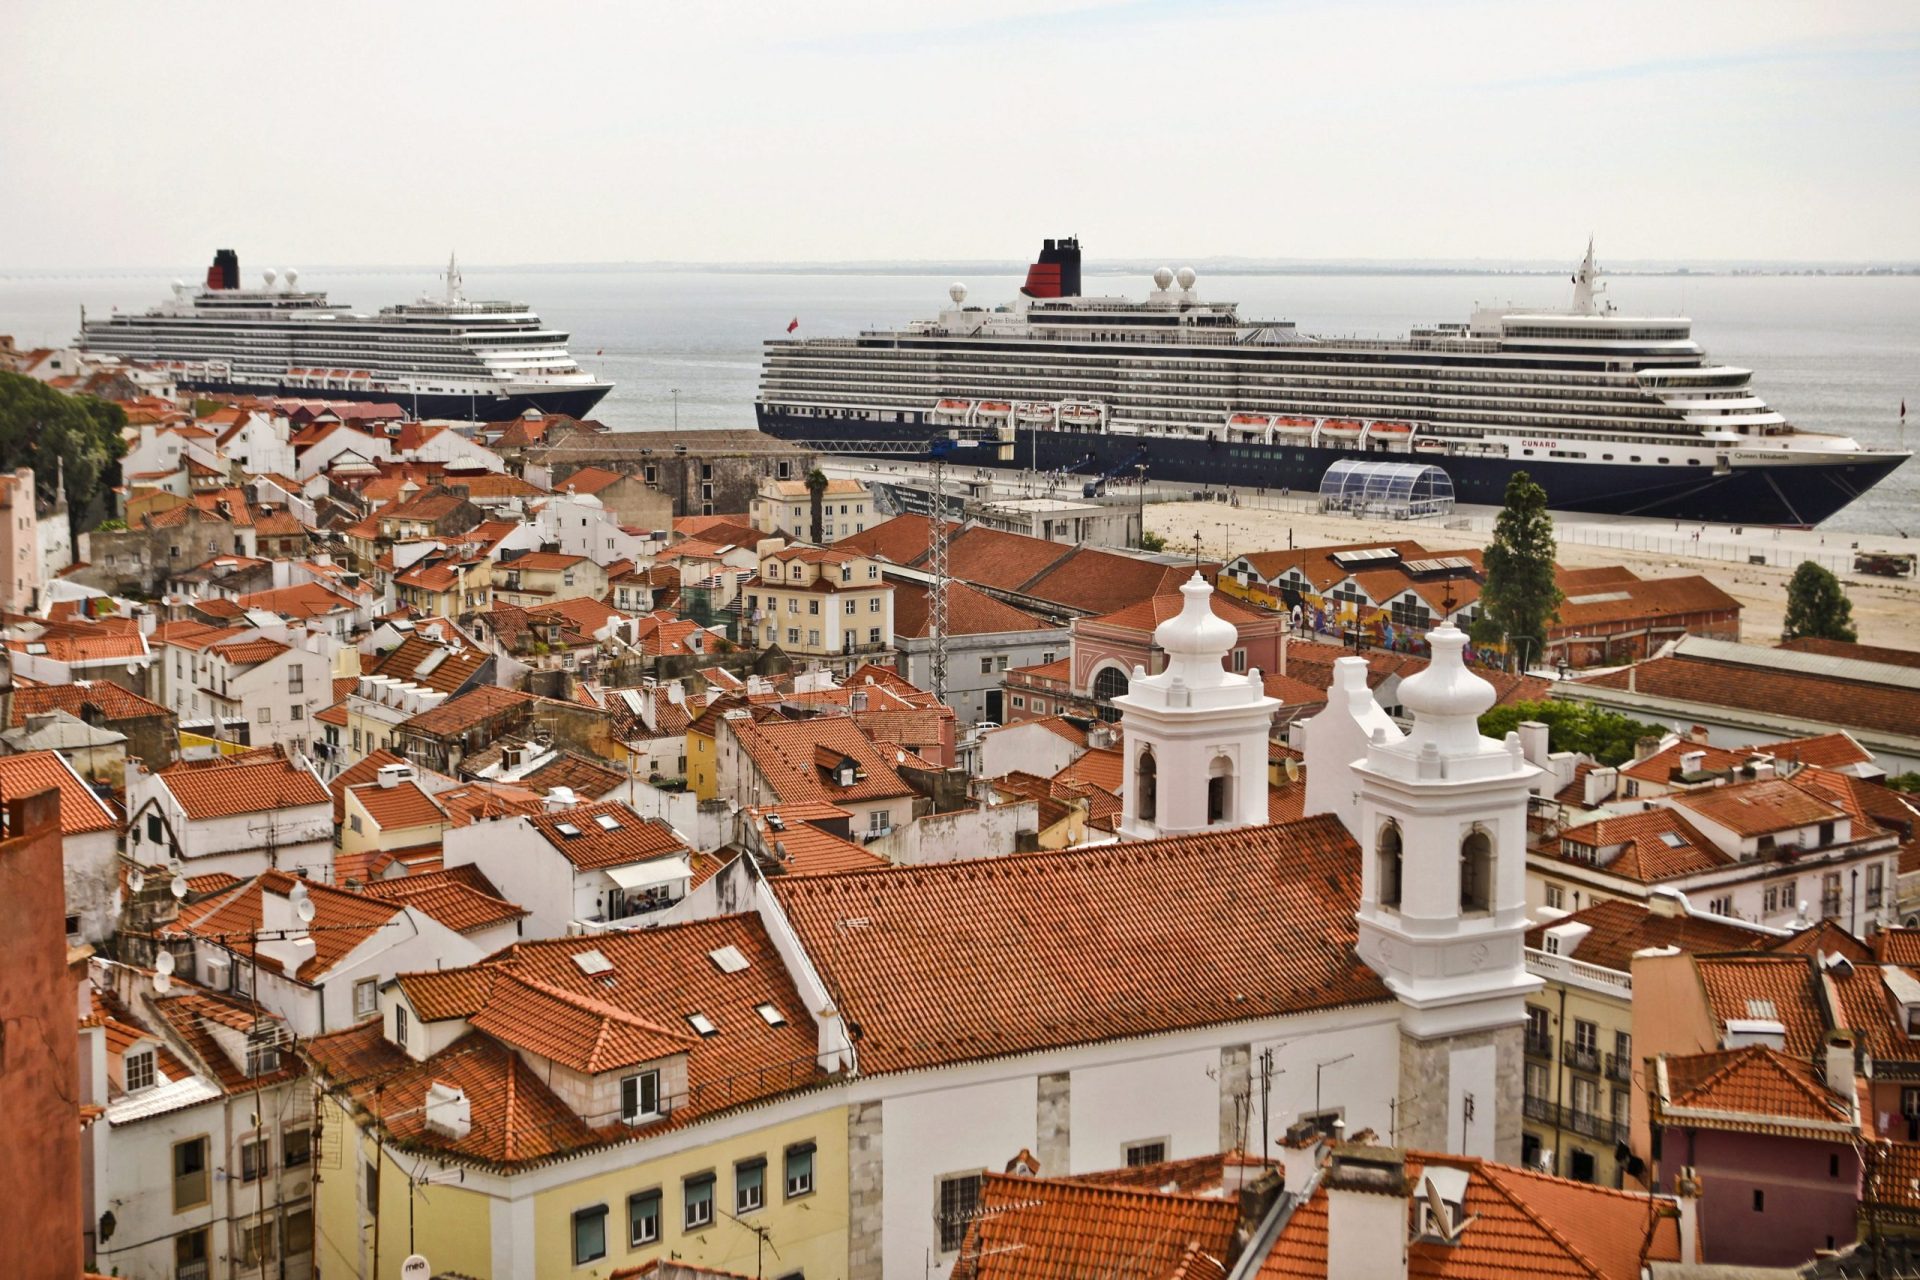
698,131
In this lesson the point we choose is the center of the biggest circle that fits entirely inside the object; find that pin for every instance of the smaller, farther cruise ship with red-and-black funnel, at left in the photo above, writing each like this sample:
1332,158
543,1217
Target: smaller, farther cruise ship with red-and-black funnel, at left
437,358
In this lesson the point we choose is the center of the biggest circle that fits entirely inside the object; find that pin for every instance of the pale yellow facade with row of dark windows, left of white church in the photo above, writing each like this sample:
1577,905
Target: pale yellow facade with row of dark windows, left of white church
600,1212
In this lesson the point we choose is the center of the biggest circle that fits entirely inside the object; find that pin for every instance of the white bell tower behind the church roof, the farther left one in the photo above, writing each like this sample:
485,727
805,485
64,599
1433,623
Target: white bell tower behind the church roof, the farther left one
1195,736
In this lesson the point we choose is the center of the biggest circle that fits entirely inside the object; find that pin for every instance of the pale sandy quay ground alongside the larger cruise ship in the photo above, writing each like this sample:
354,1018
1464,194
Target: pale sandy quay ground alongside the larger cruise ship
1884,611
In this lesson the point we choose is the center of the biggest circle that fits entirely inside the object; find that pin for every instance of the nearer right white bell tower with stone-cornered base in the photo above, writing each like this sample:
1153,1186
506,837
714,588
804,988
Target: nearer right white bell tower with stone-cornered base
1441,818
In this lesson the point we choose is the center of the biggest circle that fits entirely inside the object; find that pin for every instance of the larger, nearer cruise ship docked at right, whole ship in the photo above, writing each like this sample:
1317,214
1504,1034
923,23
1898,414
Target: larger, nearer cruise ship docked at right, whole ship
1610,414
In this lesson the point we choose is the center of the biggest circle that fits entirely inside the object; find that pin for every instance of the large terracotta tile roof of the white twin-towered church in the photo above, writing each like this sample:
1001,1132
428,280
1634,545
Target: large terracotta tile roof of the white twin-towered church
1113,941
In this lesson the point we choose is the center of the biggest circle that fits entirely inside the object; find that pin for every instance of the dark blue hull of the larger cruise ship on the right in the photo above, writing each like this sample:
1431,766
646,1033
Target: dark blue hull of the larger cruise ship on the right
1787,496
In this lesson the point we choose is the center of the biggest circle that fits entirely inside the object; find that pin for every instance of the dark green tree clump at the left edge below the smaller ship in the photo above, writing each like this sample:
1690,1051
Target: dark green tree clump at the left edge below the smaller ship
74,437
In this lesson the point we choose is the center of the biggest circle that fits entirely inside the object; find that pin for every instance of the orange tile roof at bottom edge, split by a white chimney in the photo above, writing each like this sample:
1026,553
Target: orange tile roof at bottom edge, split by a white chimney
1522,1223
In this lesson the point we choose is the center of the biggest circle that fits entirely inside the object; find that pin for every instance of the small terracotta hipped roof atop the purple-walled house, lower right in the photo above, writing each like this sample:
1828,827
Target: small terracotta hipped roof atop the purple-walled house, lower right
1750,1089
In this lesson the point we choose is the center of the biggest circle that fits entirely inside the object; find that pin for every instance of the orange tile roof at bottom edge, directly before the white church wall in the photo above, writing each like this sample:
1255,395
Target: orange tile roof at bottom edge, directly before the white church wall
1042,1229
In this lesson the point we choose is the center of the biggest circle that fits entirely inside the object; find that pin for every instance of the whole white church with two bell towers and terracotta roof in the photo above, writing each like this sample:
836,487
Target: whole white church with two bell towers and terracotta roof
1358,970
